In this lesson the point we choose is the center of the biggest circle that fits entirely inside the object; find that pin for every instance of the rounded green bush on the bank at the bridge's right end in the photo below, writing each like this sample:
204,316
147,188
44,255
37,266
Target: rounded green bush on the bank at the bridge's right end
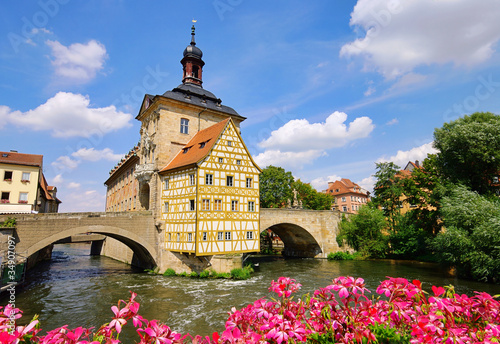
364,232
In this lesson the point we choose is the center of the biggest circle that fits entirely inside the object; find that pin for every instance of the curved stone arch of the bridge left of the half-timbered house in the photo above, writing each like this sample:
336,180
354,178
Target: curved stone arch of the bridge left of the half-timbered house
144,253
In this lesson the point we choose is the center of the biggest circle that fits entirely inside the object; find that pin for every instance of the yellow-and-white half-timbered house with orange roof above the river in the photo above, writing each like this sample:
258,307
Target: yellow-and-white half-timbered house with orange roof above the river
210,195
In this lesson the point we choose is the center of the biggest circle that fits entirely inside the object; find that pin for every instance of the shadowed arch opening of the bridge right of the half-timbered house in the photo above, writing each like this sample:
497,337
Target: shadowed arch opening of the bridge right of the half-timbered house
298,241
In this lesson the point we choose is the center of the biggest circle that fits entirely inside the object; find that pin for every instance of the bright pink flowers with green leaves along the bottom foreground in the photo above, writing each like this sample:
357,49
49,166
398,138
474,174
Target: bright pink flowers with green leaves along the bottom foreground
338,313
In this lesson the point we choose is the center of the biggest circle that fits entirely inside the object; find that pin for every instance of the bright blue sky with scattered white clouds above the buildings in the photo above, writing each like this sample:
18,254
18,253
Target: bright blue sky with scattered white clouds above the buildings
329,88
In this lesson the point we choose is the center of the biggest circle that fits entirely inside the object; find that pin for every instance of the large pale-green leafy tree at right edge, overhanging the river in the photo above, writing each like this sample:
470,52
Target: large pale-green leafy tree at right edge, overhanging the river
471,239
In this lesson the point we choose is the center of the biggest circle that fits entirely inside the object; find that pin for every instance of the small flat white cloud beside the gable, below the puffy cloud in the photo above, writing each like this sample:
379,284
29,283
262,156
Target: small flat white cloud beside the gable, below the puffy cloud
287,159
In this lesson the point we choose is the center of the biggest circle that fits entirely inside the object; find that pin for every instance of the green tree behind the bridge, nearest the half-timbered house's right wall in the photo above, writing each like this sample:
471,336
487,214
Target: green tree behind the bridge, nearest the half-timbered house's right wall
275,187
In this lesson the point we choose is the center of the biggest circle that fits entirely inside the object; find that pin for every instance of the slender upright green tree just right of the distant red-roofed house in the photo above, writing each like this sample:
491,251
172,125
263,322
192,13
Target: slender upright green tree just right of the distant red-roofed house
388,191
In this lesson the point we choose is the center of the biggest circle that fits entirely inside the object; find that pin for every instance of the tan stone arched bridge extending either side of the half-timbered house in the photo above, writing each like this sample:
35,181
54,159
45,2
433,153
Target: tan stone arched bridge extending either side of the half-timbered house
305,233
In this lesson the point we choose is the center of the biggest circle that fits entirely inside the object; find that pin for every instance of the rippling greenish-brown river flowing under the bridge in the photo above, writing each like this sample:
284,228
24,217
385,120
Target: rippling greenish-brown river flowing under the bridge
78,289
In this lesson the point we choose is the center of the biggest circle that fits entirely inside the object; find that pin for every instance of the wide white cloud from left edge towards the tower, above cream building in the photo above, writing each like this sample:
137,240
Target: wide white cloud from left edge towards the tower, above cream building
67,115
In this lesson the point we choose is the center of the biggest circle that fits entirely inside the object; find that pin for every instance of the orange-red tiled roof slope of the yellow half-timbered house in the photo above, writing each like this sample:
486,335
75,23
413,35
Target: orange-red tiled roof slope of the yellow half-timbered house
198,147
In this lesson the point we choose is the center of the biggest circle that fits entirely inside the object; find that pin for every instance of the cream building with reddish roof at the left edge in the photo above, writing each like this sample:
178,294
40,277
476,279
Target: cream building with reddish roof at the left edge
23,186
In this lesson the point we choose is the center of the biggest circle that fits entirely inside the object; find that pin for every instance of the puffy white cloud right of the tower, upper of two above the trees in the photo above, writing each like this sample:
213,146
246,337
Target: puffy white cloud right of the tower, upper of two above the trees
299,135
